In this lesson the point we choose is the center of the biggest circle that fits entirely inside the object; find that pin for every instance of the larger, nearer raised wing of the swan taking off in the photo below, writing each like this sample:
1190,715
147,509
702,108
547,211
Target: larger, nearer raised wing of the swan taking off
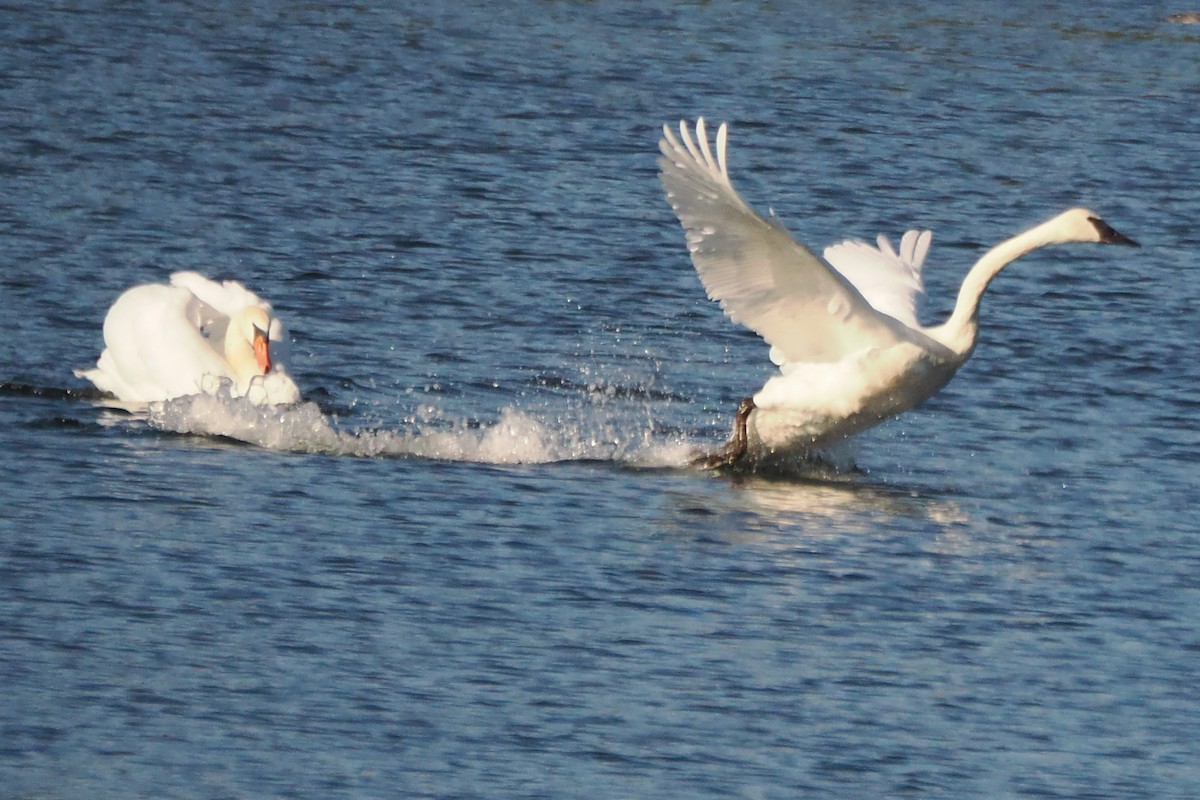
763,278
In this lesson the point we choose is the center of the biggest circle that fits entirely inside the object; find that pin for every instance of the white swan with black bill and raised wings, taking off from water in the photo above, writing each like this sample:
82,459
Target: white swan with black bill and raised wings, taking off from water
844,329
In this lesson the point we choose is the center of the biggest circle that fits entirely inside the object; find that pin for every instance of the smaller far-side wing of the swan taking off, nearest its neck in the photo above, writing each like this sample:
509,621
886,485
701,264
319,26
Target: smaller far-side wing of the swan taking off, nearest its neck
887,279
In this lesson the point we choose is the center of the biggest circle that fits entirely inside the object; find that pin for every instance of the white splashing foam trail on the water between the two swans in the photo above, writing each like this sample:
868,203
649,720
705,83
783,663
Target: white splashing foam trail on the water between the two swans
515,438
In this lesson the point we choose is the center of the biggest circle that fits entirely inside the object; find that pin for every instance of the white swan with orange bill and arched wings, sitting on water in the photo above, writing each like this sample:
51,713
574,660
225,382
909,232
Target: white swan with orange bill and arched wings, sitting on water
191,336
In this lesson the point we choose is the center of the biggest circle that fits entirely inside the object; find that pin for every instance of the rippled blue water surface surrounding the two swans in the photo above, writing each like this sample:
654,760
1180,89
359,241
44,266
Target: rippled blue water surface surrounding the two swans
475,566
